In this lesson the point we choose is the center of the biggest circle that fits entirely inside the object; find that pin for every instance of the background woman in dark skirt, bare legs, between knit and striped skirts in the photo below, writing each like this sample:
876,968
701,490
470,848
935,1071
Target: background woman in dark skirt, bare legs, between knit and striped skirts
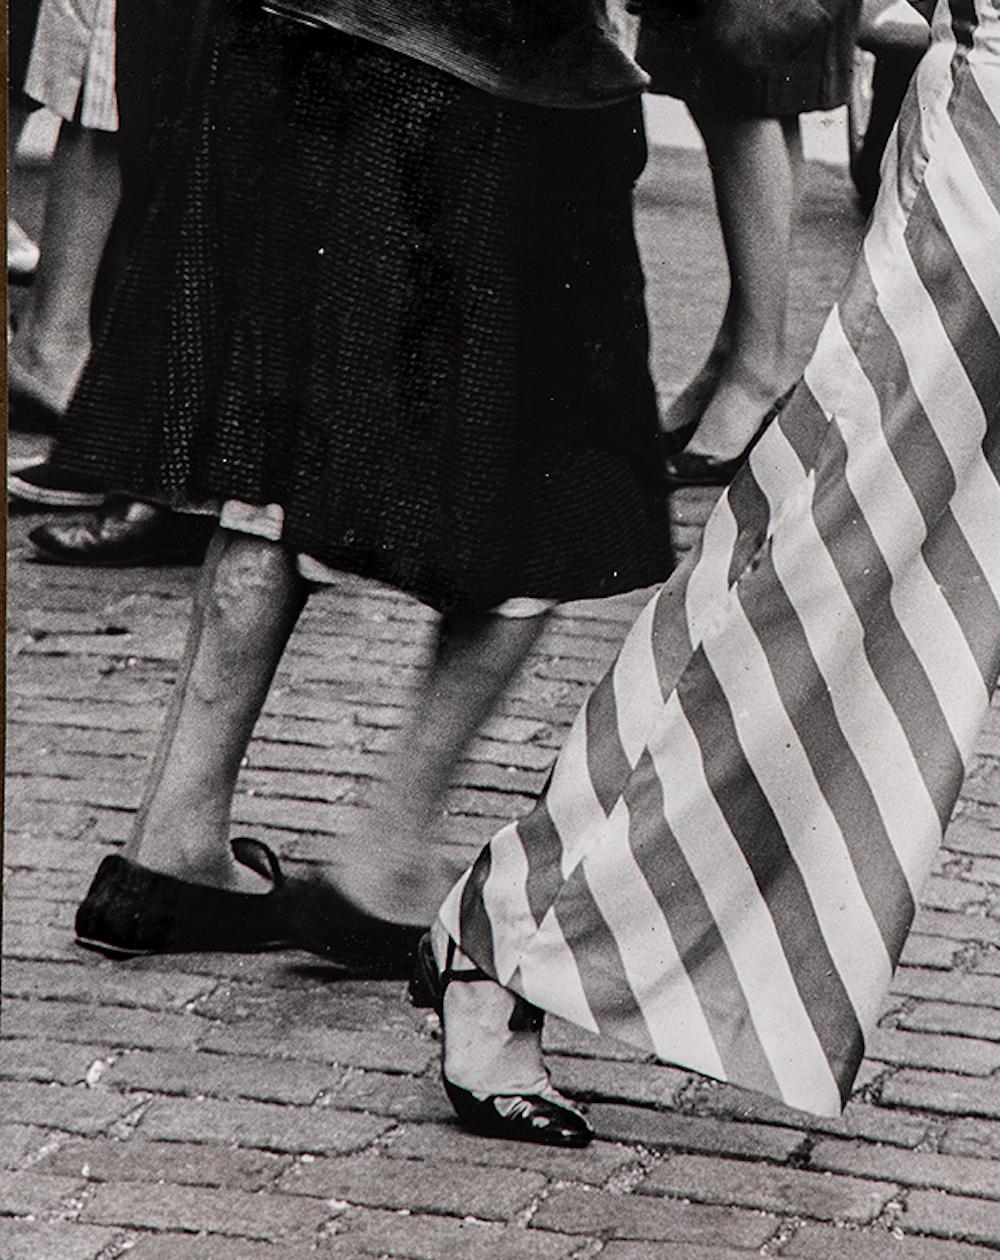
749,119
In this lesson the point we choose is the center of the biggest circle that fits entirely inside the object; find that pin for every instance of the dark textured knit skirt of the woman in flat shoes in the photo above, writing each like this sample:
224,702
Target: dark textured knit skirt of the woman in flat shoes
409,314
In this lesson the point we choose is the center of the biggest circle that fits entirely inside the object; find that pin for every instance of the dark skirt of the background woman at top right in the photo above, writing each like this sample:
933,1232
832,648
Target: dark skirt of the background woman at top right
677,54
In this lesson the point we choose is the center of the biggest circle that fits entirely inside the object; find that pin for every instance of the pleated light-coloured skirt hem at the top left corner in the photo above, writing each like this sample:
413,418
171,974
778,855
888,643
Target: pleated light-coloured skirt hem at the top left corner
72,66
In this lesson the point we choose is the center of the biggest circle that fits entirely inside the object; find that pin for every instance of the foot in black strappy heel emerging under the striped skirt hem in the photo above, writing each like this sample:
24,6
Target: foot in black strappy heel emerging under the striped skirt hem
493,1068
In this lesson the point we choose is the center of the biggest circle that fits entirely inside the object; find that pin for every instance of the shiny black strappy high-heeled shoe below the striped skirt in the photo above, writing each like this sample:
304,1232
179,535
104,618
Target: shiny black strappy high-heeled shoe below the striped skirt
538,1118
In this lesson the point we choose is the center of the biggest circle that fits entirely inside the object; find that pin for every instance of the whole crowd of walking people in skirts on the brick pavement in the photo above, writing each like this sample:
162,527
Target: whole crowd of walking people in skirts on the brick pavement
370,301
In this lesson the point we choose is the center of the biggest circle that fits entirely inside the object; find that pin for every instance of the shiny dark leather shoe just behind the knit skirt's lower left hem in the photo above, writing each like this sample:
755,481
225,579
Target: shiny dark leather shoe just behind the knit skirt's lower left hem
127,534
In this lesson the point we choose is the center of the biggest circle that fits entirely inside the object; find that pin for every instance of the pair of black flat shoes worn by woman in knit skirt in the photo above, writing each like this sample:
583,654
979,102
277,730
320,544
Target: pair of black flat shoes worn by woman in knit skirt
132,912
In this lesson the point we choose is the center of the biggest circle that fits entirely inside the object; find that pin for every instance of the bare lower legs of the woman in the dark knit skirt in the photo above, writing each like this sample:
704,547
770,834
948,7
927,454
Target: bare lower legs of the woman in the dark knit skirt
247,603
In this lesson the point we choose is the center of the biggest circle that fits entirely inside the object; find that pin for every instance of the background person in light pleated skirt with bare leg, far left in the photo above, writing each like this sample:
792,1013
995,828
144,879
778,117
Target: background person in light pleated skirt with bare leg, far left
71,71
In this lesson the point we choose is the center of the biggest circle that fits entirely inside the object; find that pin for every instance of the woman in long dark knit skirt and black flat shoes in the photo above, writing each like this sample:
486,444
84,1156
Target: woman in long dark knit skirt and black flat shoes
386,316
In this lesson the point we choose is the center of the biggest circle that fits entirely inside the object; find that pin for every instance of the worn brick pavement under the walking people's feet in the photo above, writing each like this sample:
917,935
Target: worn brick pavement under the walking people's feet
240,1108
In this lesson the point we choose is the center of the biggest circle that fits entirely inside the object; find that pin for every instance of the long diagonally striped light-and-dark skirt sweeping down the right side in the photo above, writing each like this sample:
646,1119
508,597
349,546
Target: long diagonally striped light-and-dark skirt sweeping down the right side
726,862
